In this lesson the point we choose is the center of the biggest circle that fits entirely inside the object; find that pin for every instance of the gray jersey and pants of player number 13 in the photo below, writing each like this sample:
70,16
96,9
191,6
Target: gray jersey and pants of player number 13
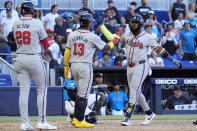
83,44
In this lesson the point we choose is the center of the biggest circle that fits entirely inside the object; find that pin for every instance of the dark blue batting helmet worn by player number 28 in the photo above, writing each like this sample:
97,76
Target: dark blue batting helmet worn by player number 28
28,8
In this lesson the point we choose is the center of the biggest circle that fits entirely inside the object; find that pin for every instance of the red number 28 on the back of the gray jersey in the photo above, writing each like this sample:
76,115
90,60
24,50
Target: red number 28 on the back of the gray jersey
23,37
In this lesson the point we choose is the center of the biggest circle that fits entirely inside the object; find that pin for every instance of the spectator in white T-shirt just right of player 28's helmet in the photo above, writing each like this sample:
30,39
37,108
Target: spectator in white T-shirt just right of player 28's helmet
49,19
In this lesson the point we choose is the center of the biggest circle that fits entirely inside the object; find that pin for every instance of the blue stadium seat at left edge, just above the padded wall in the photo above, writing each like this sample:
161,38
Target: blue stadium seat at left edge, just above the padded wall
5,80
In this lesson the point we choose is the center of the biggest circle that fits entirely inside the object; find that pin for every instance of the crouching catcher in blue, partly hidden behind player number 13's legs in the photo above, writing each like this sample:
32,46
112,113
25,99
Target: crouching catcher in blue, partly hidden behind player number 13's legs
95,102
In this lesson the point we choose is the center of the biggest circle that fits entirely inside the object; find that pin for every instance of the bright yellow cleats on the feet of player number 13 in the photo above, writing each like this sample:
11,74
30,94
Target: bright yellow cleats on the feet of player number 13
81,124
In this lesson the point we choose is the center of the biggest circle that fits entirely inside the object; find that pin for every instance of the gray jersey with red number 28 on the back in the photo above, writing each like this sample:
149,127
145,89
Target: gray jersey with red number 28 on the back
28,32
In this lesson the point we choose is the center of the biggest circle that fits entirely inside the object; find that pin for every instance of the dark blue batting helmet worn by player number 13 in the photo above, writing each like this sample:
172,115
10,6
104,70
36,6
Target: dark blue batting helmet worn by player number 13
85,19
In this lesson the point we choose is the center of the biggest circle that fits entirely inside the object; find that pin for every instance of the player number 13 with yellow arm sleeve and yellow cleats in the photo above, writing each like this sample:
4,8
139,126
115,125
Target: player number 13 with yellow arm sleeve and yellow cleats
81,46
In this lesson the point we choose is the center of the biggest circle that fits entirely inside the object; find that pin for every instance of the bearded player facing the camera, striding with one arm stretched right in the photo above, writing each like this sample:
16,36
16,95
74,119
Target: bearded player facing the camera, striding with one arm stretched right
137,44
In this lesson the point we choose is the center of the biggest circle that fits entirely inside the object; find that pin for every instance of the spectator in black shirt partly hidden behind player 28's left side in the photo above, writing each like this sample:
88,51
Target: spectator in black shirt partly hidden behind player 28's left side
12,43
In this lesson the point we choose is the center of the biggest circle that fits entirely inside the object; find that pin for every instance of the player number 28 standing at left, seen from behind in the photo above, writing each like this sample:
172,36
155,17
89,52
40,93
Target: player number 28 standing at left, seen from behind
28,33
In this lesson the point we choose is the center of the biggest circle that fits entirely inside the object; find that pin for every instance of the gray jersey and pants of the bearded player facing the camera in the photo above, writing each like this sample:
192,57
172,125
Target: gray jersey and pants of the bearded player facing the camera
138,68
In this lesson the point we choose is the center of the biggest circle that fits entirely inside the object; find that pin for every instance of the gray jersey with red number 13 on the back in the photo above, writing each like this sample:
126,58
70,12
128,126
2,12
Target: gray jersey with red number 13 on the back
83,44
